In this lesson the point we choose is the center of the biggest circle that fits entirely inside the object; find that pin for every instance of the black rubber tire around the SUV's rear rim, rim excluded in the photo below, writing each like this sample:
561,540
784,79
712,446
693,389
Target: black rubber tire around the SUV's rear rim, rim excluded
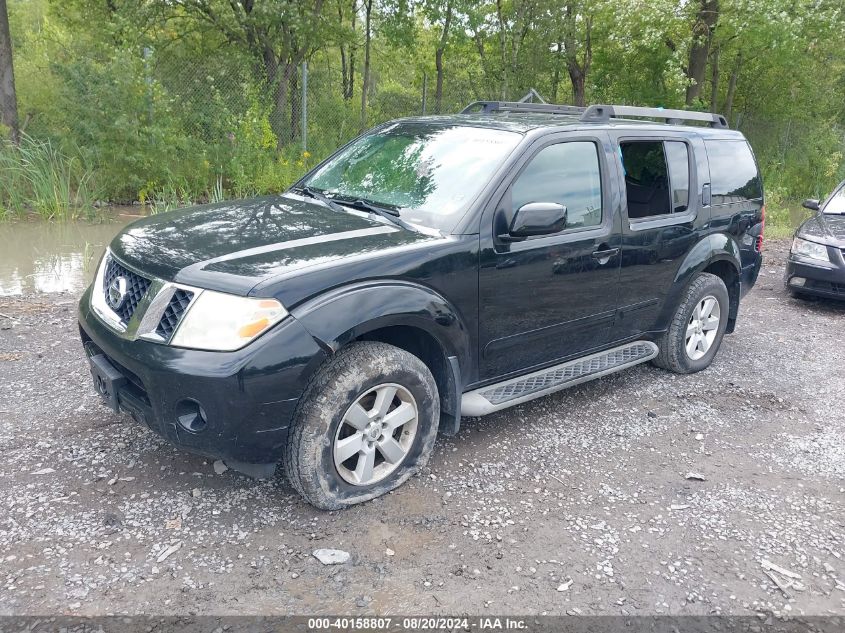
673,355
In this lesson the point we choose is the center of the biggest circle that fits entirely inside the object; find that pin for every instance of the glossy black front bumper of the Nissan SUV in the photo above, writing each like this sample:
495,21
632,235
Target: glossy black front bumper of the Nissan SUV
248,396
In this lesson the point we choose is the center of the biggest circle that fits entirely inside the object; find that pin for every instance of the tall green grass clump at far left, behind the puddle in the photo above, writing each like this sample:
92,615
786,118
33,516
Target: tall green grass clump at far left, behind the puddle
37,177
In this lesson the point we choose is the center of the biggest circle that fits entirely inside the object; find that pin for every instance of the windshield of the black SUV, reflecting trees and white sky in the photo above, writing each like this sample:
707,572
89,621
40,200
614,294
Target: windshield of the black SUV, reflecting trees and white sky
430,173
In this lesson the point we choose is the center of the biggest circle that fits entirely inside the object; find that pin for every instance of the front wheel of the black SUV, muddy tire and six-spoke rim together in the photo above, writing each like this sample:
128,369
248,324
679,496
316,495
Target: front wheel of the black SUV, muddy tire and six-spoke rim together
365,423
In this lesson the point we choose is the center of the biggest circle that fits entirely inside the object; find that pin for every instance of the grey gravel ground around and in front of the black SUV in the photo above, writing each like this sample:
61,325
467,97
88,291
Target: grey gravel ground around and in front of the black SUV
640,493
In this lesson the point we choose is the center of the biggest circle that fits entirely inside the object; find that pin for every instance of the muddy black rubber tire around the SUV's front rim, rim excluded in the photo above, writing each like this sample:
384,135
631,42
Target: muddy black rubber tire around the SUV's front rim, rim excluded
308,459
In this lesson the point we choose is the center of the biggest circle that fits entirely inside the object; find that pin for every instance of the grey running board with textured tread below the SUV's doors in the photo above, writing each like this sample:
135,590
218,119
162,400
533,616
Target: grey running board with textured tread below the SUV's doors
540,383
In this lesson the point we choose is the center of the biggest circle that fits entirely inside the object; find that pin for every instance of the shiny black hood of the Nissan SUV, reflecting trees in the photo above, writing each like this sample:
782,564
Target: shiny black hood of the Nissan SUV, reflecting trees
233,246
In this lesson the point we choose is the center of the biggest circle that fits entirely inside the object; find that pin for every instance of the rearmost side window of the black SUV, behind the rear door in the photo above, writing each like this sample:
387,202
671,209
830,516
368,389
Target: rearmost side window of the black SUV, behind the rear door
733,172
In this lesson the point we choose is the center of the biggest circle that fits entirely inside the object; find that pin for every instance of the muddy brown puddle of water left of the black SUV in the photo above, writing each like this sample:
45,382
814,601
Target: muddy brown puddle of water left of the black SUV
54,256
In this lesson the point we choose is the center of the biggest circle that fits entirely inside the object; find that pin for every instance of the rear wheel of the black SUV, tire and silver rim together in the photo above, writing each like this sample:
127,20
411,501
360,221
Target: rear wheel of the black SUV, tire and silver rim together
697,327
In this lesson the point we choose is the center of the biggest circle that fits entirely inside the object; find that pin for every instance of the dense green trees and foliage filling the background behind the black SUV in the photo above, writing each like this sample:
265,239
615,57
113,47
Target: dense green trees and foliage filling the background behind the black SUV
196,96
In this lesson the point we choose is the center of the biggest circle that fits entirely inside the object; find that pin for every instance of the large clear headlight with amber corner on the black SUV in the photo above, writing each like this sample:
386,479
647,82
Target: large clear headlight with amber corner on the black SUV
223,322
